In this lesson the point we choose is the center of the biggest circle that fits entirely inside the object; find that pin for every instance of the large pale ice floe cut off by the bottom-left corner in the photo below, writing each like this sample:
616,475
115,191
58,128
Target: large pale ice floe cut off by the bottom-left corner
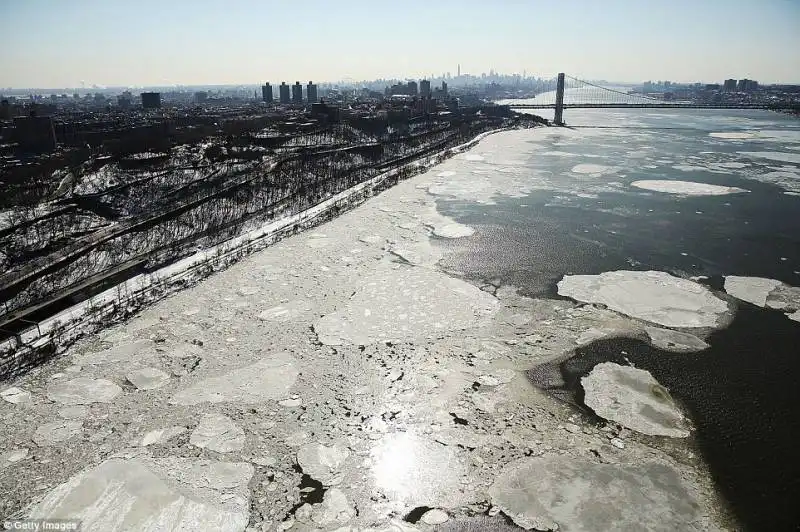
169,494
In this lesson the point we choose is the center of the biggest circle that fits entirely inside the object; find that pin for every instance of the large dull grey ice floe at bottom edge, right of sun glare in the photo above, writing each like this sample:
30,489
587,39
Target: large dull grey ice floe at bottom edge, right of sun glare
566,493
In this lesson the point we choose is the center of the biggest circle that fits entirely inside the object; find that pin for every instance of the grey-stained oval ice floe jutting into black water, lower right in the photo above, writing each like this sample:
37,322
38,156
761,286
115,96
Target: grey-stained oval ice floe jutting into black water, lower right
634,399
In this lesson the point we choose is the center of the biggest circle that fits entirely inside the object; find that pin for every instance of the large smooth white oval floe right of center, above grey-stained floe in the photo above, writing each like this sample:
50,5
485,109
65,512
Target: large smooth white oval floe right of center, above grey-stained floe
653,296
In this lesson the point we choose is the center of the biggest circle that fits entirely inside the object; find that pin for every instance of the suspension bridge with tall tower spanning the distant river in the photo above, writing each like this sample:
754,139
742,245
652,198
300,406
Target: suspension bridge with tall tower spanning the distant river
574,93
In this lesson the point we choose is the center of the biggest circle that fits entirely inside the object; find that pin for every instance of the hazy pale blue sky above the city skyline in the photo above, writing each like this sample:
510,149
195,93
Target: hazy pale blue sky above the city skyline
61,43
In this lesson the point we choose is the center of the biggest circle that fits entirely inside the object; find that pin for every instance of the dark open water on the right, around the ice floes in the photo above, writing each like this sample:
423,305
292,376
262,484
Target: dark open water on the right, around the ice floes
743,393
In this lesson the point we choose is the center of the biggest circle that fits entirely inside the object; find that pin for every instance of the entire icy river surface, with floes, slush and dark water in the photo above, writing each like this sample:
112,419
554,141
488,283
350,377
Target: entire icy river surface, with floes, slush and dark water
543,330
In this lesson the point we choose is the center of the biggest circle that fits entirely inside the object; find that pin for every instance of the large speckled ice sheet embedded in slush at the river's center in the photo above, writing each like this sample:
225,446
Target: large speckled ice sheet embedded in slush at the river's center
405,304
